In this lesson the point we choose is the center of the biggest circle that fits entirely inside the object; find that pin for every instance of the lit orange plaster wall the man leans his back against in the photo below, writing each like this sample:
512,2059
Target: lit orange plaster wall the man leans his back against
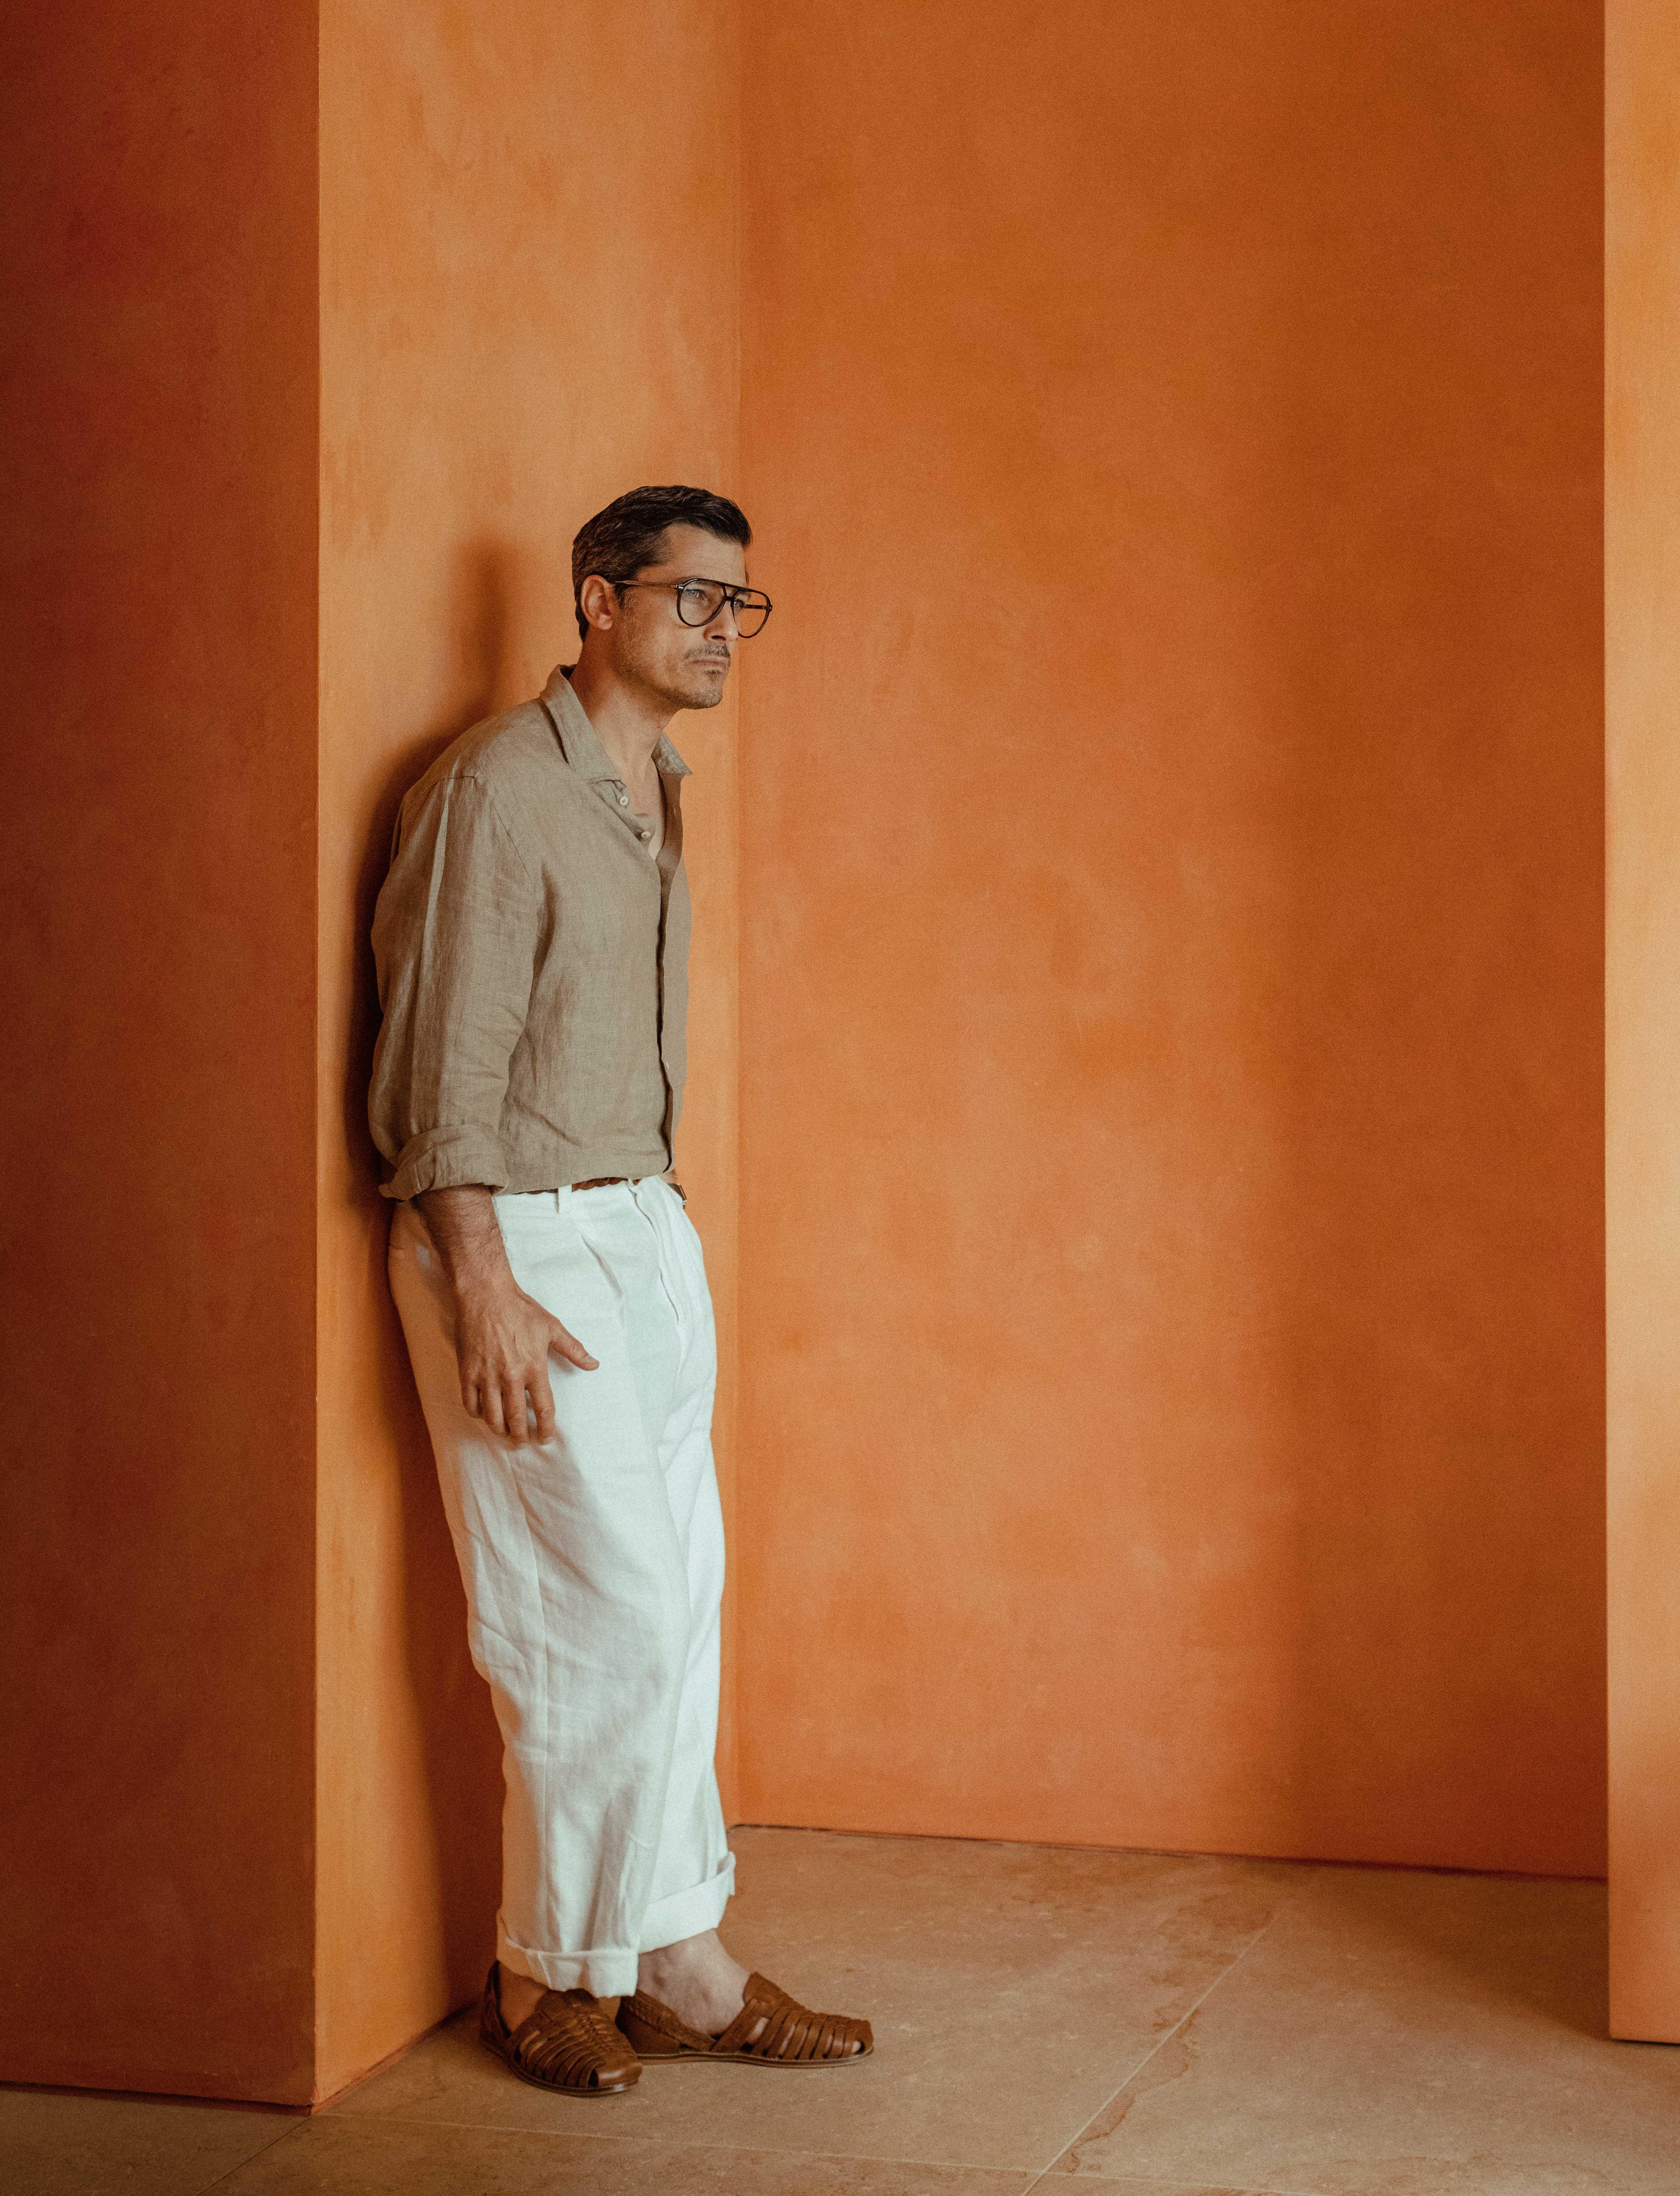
528,247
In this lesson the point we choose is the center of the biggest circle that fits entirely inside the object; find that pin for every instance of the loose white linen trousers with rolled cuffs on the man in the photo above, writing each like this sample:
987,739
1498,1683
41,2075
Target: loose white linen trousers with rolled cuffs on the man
594,1578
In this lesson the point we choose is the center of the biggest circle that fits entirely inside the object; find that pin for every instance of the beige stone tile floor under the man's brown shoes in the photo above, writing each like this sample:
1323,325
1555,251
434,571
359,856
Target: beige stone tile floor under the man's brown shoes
1125,2021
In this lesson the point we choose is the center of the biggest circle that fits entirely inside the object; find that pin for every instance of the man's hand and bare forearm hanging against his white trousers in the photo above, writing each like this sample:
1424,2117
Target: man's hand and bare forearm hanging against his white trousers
502,1336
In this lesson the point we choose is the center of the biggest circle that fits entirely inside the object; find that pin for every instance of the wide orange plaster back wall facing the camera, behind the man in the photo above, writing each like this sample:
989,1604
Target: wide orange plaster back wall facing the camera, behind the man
1172,877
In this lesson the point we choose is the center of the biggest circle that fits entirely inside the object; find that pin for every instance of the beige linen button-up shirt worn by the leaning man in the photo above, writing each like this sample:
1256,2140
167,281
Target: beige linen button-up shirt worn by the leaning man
533,961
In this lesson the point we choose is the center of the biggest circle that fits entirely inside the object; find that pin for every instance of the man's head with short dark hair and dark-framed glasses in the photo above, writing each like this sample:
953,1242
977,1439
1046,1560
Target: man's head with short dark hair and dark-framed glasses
627,565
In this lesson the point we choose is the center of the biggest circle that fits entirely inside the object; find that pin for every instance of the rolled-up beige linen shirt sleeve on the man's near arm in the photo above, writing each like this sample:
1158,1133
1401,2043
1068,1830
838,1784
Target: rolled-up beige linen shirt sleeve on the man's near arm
456,939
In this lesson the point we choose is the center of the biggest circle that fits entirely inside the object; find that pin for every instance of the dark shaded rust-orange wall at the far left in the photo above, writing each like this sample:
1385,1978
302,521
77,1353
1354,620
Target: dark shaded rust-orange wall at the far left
157,847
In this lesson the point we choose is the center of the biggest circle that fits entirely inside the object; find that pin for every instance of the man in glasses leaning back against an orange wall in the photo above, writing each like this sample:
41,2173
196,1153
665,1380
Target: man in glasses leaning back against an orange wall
533,954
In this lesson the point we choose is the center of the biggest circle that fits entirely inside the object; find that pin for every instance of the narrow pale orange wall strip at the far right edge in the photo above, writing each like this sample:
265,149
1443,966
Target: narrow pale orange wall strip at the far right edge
1644,1009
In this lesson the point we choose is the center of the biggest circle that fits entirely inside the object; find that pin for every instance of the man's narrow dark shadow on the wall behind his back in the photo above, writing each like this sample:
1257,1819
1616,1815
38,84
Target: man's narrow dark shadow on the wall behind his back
458,1729
